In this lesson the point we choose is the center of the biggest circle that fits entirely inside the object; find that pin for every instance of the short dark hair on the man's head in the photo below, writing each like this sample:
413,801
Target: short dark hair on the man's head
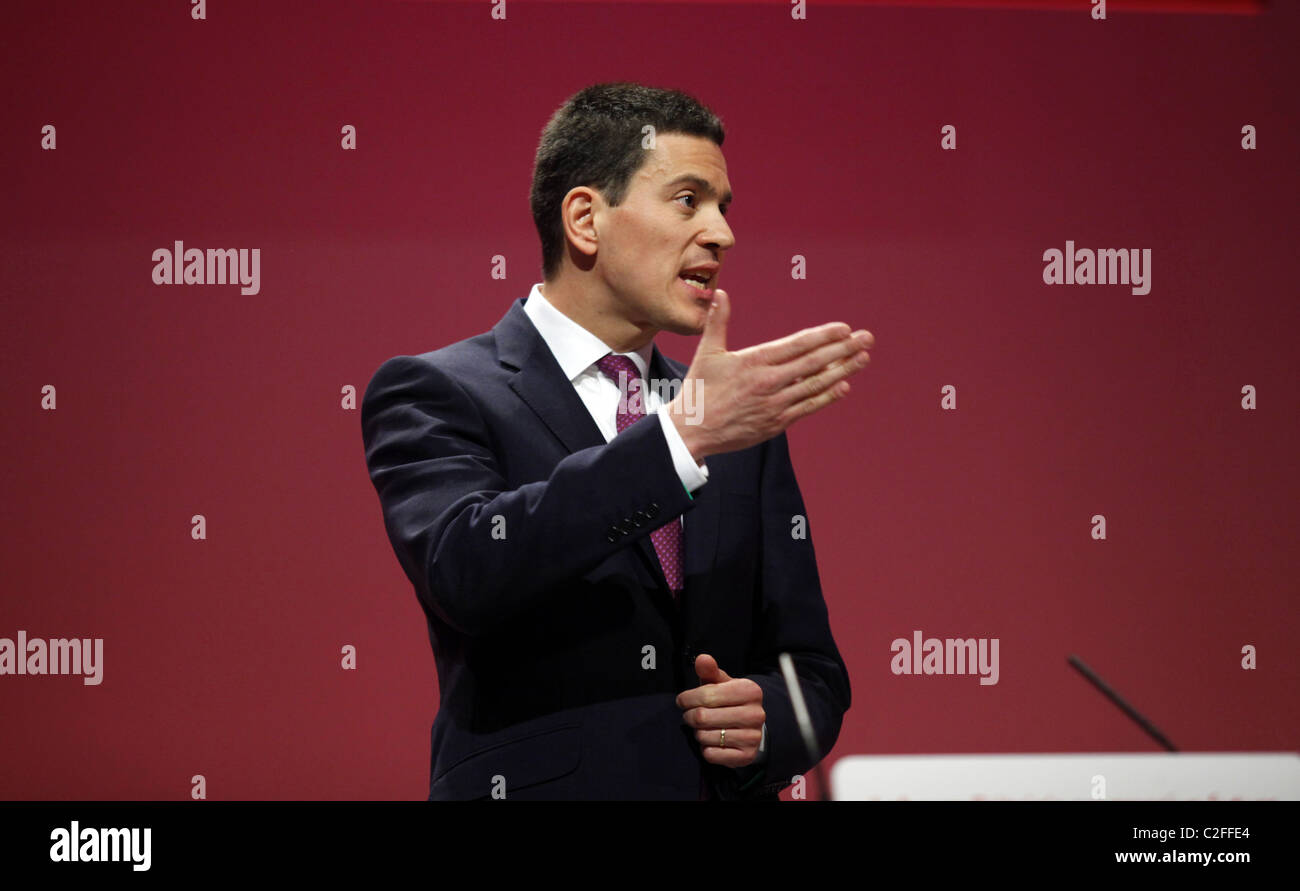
595,140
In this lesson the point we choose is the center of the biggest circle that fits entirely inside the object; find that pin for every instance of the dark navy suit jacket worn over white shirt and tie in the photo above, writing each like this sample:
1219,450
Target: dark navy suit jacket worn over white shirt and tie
560,647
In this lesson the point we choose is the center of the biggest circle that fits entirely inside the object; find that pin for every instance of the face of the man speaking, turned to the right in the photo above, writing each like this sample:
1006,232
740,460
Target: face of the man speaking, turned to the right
670,222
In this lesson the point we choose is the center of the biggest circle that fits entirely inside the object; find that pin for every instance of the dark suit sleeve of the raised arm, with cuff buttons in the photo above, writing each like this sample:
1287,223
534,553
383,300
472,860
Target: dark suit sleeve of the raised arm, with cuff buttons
479,553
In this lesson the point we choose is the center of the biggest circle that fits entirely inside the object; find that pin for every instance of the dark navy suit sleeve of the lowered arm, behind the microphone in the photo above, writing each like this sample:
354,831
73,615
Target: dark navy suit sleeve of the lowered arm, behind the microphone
792,618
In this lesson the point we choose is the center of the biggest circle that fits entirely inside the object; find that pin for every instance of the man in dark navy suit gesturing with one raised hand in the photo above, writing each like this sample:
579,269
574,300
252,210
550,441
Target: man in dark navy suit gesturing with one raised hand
609,577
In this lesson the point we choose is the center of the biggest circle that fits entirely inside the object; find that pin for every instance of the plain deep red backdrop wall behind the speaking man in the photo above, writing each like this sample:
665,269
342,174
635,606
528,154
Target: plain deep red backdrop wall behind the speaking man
223,656
